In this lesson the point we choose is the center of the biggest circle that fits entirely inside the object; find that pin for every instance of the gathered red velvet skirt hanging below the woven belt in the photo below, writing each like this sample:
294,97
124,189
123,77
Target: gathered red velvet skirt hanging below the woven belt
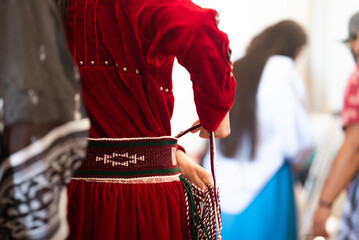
118,211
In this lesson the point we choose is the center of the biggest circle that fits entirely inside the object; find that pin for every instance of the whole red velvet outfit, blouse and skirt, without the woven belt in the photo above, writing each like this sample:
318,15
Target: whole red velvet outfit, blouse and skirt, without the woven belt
125,51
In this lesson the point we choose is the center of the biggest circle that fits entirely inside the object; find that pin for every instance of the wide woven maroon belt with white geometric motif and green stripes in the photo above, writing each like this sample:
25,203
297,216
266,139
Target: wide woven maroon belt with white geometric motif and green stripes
130,160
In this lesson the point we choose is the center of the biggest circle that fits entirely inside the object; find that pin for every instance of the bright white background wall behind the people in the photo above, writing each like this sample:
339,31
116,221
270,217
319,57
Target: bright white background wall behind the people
325,64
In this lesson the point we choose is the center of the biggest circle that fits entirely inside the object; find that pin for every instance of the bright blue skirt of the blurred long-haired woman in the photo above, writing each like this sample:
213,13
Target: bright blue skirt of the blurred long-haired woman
271,216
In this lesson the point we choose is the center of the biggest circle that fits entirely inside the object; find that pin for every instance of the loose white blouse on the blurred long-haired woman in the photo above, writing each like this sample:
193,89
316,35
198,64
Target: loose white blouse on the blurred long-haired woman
283,133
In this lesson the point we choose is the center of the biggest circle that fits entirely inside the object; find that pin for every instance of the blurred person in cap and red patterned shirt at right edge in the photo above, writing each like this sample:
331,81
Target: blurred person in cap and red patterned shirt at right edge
345,166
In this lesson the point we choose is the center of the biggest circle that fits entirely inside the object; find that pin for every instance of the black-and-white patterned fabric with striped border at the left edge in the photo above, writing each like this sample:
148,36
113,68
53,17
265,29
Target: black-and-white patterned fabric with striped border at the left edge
33,183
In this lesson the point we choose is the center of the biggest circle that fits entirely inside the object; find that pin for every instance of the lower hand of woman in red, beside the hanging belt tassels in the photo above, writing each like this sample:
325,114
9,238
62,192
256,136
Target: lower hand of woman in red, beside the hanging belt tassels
192,171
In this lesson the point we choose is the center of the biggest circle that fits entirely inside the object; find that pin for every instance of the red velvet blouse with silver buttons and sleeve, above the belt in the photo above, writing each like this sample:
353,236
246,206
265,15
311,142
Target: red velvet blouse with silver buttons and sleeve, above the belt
125,51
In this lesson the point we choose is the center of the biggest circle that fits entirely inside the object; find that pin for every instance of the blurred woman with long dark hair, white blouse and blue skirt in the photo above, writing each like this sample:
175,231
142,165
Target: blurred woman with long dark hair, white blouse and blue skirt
270,133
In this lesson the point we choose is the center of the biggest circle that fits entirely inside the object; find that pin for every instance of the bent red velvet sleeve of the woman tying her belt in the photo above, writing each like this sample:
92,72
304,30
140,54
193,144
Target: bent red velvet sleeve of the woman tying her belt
179,28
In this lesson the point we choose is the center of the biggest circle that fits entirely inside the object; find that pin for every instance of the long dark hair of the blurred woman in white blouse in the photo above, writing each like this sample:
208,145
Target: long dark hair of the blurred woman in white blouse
284,38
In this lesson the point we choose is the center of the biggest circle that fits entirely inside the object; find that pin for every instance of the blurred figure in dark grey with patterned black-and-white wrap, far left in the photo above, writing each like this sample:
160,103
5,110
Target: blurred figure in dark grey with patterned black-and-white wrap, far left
43,125
